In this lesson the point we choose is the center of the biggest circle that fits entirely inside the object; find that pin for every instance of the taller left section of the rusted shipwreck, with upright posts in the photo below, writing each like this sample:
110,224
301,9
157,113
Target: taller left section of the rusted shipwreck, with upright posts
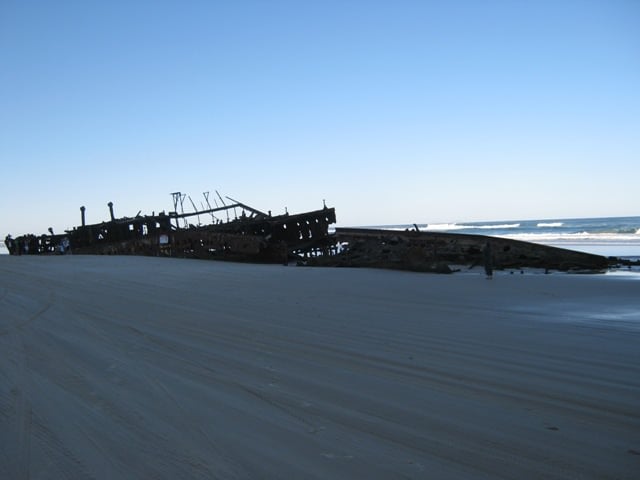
251,236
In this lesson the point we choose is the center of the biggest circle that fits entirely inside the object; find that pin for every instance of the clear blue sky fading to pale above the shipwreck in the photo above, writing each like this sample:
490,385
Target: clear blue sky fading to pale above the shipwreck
394,112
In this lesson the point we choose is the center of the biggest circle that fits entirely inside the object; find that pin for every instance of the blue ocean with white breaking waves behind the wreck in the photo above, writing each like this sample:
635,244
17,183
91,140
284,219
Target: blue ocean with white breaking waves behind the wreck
608,236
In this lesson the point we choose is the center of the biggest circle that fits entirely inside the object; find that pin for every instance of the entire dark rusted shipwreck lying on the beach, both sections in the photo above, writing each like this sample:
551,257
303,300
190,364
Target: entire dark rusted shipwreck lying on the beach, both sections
235,231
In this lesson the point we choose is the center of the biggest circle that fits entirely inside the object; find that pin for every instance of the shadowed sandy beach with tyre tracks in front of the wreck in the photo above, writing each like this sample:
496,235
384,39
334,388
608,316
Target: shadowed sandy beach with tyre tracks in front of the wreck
149,368
